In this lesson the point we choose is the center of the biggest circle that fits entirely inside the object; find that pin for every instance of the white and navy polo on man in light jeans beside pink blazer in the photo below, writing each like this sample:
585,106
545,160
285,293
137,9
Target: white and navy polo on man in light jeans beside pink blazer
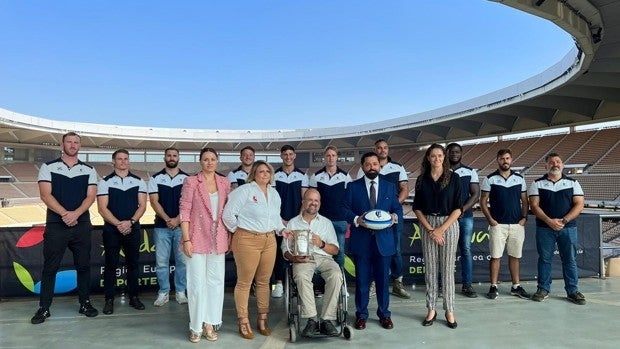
168,190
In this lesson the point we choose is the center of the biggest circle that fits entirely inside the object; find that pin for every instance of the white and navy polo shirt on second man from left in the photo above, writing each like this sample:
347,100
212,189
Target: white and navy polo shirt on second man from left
122,195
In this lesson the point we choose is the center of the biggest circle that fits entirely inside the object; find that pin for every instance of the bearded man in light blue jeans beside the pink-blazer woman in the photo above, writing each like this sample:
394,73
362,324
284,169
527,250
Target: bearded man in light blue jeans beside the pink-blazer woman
164,192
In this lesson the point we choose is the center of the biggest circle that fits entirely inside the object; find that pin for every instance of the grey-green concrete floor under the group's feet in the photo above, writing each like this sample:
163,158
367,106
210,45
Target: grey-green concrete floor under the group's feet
507,322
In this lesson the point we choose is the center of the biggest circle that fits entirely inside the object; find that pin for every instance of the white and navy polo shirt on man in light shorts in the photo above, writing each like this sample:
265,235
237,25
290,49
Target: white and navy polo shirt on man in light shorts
505,196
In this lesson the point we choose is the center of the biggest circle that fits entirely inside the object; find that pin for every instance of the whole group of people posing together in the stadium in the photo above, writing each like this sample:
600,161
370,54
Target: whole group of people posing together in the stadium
202,217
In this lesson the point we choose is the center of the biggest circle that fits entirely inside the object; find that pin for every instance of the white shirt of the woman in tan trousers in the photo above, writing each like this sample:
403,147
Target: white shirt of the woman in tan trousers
249,209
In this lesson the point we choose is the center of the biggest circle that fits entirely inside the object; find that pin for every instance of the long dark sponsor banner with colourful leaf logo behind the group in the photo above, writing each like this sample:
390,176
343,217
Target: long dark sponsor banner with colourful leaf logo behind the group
21,258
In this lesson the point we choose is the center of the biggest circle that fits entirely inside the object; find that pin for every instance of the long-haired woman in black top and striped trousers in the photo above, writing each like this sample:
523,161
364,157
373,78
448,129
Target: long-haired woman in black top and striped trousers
438,205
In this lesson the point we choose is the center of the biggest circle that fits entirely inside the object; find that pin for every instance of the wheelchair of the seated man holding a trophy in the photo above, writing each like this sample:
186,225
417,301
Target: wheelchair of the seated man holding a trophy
292,304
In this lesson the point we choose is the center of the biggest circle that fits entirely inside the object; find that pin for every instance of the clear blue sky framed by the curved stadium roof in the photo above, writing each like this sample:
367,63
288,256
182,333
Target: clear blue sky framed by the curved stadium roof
262,64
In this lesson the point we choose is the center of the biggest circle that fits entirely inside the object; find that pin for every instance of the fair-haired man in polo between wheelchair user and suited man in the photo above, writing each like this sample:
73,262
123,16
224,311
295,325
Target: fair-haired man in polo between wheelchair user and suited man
331,182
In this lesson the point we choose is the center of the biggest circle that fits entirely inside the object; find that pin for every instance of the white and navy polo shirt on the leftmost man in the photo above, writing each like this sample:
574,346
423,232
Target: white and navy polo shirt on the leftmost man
69,186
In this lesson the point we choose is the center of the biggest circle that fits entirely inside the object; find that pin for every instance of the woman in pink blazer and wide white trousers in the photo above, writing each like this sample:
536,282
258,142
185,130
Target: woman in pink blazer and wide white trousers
205,242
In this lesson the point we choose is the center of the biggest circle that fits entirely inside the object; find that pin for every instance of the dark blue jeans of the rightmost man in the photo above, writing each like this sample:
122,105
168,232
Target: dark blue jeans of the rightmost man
566,240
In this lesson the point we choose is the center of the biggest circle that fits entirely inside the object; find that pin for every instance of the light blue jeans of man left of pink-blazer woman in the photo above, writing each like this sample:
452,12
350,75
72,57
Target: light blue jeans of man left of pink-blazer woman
165,240
